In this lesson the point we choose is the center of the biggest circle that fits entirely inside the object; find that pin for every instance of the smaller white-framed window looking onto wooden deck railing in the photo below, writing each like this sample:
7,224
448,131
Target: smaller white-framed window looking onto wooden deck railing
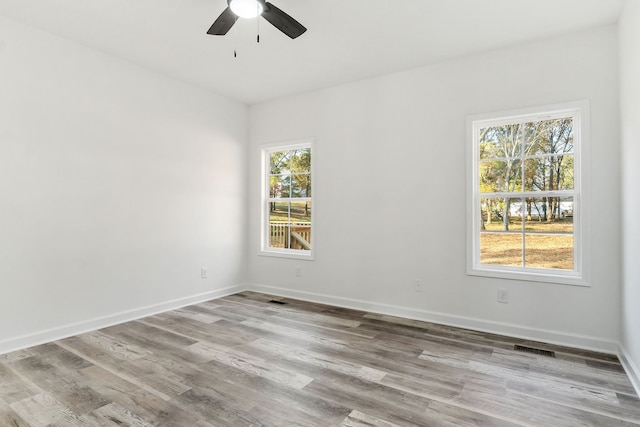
287,201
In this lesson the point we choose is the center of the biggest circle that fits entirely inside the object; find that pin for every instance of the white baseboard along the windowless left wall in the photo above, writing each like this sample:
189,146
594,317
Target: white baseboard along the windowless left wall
65,331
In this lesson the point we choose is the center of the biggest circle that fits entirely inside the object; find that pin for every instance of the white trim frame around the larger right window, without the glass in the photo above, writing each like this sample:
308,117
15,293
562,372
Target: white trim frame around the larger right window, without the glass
581,276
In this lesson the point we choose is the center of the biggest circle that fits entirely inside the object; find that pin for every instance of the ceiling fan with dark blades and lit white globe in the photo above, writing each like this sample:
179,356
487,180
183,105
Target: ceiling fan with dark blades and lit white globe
251,9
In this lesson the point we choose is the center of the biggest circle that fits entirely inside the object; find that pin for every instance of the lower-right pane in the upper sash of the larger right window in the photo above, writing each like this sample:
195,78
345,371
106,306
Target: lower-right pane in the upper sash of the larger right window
549,173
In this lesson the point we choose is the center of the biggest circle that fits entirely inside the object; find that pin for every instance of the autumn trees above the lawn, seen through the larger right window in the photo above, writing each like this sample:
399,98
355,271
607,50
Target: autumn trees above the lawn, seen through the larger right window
526,157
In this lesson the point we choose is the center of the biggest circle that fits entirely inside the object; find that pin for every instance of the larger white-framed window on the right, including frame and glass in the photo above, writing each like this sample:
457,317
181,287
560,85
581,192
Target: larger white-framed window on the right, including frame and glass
527,216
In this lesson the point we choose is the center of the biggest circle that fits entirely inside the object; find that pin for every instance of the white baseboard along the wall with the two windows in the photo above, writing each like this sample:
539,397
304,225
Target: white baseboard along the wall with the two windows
507,329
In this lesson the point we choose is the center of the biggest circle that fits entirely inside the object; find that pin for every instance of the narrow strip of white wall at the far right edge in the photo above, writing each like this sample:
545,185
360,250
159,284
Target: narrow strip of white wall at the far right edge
630,178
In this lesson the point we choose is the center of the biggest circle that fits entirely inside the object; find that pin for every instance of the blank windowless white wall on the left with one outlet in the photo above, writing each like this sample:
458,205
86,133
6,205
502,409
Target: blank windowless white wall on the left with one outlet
116,186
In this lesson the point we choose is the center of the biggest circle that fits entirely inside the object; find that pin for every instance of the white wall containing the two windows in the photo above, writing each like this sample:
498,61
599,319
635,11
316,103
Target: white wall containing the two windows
390,190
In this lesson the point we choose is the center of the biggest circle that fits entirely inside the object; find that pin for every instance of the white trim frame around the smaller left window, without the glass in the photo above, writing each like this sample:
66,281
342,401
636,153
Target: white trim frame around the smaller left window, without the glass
264,248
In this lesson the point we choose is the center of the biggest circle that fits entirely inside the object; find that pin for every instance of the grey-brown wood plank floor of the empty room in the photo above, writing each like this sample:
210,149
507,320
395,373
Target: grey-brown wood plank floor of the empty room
245,361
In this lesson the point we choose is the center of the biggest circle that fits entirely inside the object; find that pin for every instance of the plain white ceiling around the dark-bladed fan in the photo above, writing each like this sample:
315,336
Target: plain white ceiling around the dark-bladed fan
347,40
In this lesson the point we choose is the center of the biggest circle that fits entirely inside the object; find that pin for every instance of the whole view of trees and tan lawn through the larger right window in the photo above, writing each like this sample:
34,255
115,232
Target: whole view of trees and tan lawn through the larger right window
526,178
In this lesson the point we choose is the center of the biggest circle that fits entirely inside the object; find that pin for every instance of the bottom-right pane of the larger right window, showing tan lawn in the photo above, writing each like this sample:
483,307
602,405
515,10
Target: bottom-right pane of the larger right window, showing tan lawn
549,251
